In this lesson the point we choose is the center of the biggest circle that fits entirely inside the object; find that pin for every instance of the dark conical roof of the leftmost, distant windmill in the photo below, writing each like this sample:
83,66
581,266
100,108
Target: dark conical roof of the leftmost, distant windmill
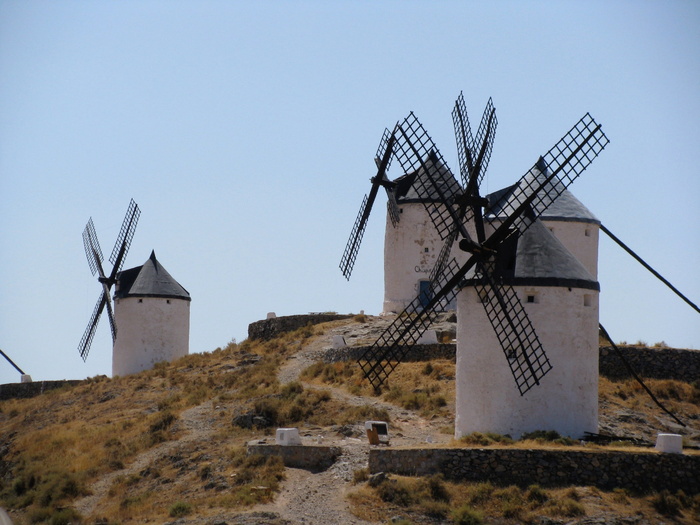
149,280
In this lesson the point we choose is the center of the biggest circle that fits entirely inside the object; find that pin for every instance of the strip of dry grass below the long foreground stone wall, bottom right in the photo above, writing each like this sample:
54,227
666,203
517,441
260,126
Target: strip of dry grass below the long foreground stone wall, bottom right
432,497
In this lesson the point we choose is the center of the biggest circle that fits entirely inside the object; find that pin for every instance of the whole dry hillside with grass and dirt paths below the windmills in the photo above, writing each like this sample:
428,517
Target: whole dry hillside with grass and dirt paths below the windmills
168,445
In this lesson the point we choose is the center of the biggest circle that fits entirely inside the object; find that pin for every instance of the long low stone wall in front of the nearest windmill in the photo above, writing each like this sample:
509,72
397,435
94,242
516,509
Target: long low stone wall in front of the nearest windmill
549,468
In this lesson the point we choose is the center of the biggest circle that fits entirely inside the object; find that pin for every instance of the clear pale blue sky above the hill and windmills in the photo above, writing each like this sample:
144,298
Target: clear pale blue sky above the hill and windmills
246,132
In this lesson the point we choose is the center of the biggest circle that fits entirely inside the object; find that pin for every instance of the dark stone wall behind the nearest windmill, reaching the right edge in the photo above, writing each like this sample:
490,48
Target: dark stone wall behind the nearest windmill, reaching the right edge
656,363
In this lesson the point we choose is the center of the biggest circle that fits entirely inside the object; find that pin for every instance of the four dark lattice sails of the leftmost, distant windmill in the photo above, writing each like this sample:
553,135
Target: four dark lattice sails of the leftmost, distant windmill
95,261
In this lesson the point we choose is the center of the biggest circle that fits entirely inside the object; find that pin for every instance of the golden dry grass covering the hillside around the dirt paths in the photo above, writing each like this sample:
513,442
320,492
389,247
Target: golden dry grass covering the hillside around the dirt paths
56,446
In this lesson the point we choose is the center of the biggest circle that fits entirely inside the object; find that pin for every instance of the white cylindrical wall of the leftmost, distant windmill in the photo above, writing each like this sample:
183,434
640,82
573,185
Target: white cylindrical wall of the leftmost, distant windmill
149,330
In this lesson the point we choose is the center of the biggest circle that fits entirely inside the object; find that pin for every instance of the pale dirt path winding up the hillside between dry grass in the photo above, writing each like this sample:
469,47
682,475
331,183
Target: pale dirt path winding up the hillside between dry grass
305,497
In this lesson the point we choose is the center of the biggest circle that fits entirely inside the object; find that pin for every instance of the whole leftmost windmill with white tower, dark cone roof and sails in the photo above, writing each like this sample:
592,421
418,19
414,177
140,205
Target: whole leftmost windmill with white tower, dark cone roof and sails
151,311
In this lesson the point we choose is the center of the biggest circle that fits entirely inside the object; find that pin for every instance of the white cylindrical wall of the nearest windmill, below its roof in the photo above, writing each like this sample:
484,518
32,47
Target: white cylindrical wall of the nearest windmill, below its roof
566,399
